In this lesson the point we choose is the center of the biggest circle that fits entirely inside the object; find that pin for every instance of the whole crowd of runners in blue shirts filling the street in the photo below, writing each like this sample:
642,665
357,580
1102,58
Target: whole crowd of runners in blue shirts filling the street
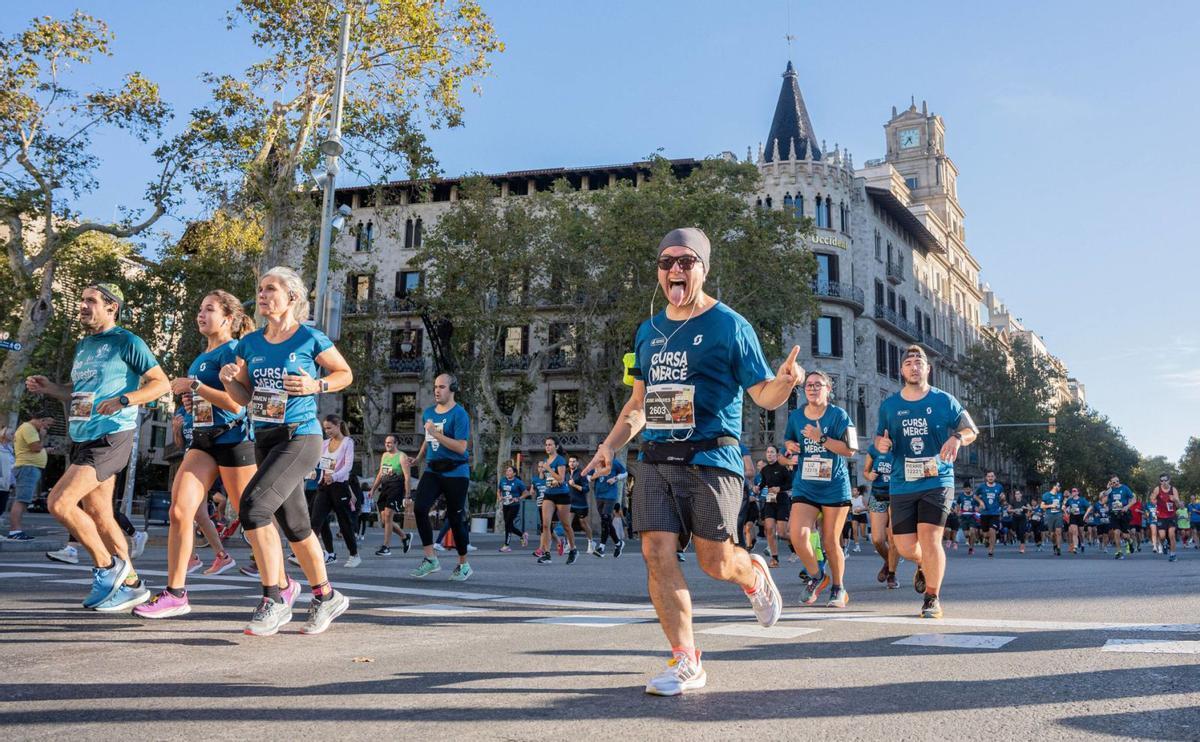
248,417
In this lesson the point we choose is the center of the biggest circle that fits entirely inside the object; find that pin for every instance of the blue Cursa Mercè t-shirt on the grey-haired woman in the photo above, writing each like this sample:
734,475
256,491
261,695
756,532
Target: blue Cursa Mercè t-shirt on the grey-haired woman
267,363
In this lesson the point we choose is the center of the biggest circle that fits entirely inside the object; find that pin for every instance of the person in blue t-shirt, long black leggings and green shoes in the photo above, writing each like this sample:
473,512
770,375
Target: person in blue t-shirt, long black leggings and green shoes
447,475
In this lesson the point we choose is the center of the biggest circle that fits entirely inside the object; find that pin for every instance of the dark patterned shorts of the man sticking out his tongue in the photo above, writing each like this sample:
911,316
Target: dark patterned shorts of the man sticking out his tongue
687,500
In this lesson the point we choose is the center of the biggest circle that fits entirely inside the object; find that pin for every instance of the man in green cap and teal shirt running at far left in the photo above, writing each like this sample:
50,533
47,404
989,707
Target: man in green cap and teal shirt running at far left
113,373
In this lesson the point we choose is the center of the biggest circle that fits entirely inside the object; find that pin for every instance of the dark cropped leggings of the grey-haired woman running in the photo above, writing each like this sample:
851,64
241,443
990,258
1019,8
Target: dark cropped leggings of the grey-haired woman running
277,490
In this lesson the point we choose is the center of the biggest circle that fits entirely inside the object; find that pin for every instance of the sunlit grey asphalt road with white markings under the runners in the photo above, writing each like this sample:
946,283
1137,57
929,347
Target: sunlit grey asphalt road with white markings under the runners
1031,648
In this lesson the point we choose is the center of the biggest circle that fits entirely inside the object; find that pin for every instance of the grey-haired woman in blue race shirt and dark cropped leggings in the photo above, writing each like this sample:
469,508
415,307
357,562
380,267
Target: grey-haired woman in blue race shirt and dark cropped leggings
277,376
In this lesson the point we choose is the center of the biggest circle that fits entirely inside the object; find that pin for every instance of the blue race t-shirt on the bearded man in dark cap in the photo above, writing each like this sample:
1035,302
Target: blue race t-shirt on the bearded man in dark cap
919,430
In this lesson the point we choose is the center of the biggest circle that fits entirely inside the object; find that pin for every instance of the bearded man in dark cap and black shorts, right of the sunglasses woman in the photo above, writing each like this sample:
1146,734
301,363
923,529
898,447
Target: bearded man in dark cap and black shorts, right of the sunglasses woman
928,427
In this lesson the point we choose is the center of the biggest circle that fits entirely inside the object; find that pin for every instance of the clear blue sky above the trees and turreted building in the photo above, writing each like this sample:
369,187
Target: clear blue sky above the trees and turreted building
1072,124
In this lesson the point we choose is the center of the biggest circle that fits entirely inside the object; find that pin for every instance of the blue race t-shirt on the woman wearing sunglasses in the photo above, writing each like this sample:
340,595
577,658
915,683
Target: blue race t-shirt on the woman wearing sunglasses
821,475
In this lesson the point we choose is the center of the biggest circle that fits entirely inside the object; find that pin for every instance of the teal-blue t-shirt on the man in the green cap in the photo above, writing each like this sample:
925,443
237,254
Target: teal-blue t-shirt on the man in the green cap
106,367
